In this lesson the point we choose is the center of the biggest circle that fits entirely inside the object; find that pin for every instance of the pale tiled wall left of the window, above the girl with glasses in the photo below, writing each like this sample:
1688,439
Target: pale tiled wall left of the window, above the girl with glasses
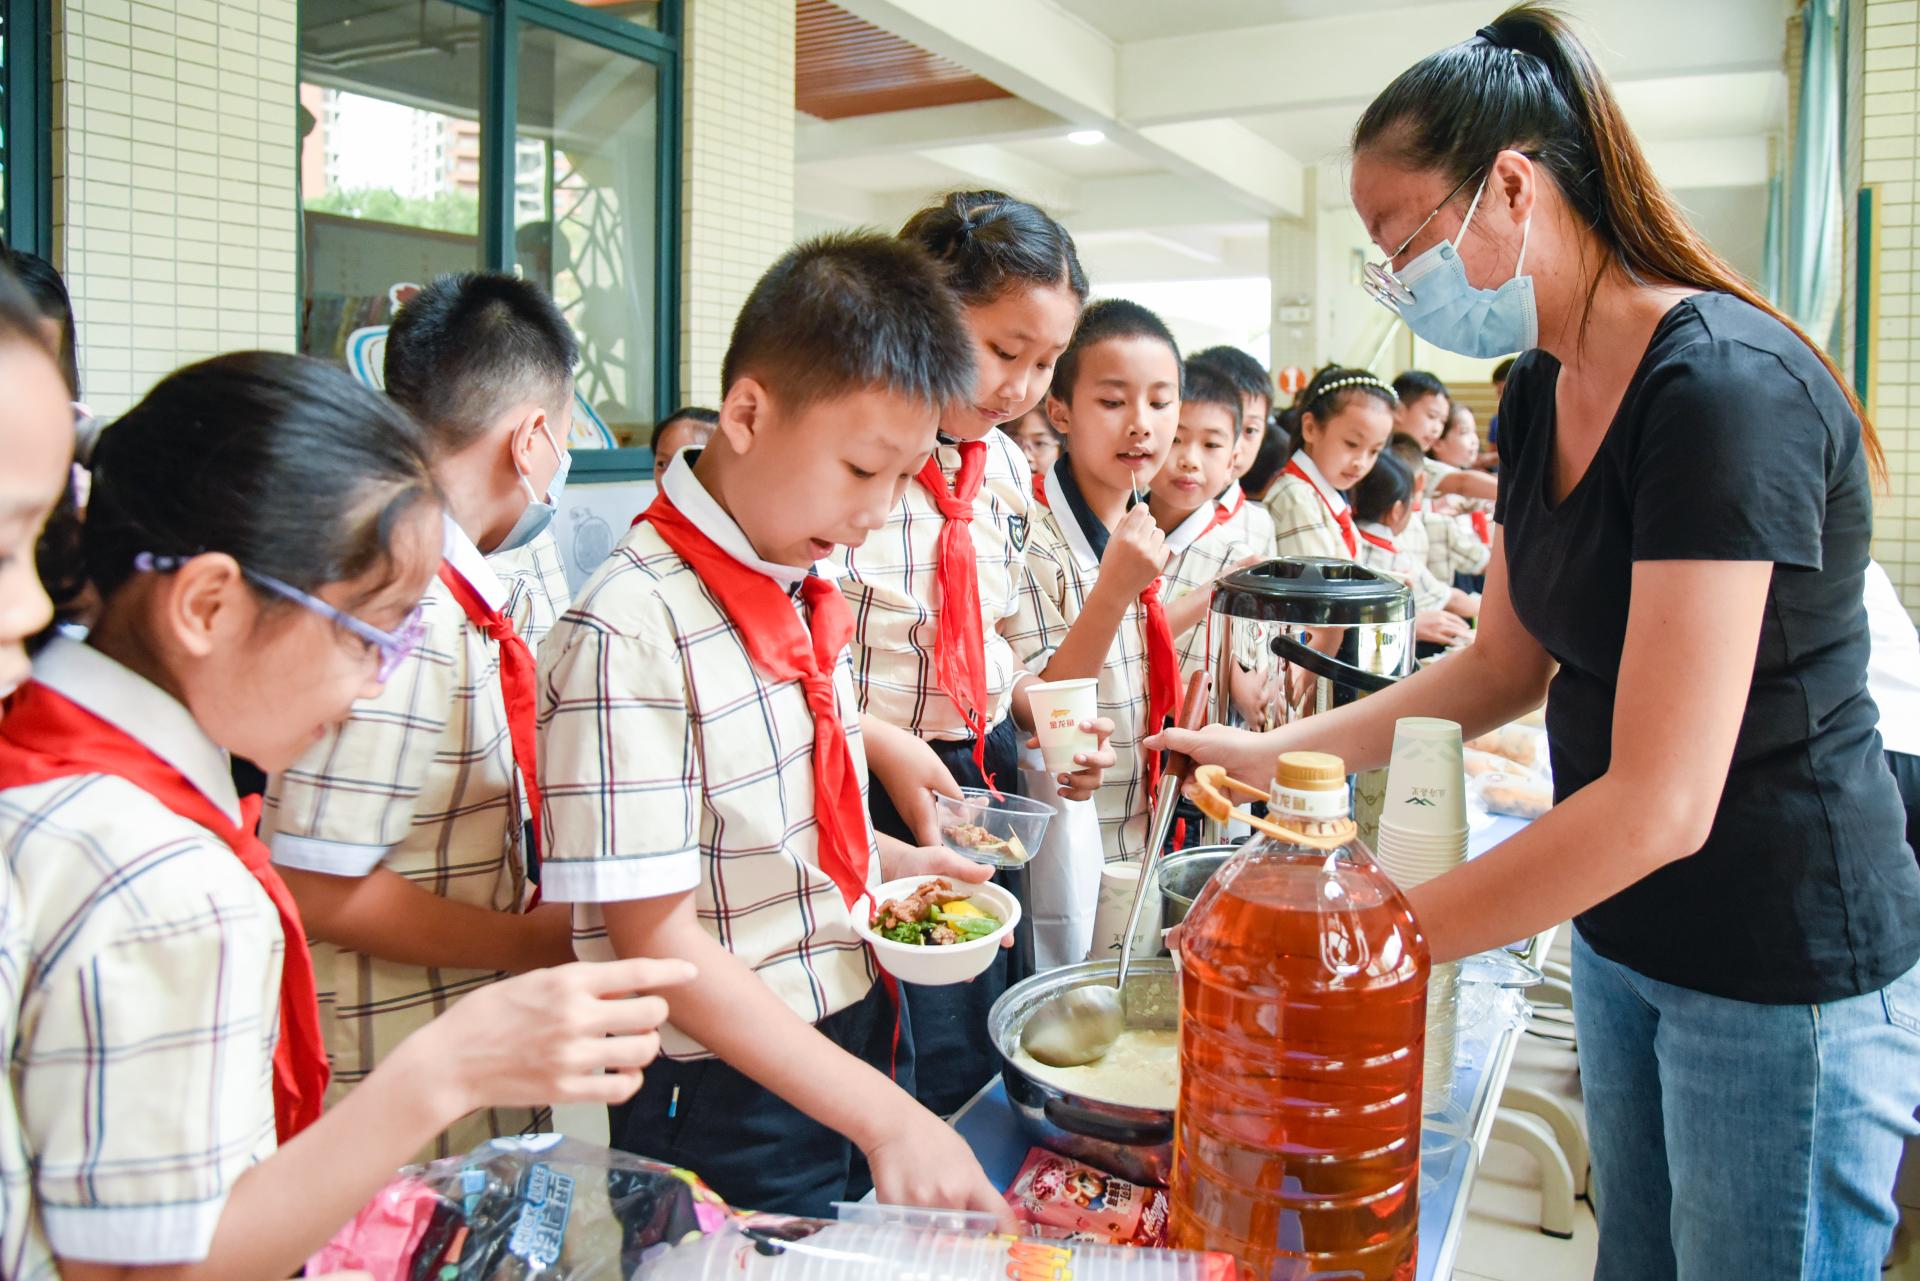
174,185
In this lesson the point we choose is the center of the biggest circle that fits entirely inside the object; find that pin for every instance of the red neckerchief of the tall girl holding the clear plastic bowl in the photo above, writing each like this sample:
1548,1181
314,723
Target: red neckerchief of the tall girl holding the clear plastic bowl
961,644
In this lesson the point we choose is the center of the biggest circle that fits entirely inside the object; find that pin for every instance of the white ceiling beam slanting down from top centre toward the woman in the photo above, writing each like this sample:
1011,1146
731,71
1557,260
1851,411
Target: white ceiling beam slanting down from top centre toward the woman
1053,60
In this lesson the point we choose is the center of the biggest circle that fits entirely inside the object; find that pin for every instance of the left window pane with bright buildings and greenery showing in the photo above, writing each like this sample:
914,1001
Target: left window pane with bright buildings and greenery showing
389,157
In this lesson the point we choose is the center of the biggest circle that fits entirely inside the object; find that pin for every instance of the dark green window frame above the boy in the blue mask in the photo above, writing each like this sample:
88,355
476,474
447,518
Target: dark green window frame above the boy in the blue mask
660,47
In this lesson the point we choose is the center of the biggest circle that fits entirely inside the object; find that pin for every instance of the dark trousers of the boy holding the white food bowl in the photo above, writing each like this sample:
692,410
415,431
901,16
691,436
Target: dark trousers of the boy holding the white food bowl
754,1148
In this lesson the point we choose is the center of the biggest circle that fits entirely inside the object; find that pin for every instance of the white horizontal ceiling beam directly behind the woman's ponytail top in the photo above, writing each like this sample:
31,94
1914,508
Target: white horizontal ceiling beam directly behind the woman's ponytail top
1347,60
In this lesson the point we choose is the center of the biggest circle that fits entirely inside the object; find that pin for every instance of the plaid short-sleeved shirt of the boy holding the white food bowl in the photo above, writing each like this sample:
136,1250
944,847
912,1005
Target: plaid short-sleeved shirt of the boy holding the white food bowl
669,765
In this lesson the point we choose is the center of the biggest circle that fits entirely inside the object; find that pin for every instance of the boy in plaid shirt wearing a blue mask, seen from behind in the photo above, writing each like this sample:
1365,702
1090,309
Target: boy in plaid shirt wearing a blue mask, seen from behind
404,833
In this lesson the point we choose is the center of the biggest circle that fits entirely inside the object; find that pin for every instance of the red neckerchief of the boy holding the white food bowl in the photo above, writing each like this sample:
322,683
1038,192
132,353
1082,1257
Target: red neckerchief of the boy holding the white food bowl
782,648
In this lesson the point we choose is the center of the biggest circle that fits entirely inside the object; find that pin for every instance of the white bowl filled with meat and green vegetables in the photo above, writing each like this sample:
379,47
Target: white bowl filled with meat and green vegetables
936,931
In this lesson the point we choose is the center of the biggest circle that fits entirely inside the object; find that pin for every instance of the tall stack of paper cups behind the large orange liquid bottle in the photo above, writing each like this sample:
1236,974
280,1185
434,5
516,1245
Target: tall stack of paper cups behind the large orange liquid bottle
1424,834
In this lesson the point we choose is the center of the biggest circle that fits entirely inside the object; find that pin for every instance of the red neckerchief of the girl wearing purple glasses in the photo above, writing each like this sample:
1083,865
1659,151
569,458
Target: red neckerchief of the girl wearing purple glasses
47,737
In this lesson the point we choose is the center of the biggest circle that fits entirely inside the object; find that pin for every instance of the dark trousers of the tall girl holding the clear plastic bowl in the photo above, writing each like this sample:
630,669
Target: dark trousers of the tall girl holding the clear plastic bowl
955,1051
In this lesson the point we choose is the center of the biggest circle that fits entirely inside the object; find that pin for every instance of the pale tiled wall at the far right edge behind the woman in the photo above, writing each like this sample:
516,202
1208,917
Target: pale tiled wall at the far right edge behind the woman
1890,145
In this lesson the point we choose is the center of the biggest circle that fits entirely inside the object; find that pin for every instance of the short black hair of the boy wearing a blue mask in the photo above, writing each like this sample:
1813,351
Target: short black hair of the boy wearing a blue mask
471,345
